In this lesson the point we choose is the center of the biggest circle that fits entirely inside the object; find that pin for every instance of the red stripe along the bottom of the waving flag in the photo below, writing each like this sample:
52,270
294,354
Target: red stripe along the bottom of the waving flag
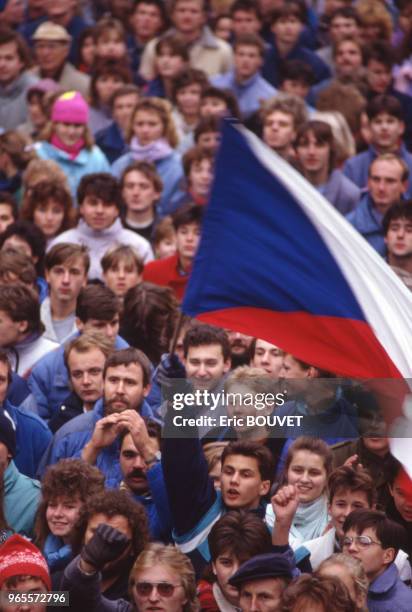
346,347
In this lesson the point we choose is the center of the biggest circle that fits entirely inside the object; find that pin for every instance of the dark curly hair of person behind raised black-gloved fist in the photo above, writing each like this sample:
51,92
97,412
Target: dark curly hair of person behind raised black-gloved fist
111,503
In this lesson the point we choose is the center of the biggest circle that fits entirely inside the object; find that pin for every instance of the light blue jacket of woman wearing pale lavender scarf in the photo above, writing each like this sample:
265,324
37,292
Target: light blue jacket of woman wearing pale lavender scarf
170,170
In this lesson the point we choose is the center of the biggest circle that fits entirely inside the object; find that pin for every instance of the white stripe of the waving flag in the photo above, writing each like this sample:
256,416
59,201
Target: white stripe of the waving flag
384,299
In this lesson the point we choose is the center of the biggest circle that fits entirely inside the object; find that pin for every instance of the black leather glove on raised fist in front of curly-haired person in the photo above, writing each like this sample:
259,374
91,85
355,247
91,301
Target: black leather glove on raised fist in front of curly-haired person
107,544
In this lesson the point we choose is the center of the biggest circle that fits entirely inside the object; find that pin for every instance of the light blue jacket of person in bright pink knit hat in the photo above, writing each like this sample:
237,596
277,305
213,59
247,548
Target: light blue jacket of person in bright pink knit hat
87,162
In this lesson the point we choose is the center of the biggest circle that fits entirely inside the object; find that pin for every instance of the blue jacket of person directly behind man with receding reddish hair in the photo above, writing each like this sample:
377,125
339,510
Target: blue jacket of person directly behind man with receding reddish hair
49,379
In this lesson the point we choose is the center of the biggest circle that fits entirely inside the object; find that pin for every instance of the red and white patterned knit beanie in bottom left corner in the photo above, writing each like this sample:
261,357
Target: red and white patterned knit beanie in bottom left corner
19,557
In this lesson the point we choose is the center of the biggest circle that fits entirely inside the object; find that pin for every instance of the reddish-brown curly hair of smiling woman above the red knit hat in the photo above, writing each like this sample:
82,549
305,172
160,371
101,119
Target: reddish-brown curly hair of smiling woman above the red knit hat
68,478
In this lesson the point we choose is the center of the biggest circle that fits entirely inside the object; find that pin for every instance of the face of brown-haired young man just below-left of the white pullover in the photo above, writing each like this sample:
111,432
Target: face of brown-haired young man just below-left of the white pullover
67,279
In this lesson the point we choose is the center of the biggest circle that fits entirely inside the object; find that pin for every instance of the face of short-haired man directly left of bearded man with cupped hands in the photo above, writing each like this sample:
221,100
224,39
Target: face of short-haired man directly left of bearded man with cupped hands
86,374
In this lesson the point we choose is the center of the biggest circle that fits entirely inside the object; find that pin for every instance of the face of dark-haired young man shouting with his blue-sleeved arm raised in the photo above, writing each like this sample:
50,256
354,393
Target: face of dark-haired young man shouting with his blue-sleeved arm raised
241,483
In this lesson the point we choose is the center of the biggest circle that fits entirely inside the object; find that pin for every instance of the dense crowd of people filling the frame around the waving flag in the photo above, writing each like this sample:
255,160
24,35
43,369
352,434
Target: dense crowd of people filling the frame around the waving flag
110,123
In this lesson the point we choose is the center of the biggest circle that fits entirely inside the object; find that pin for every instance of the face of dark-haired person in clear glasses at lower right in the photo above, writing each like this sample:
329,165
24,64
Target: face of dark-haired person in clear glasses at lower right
373,557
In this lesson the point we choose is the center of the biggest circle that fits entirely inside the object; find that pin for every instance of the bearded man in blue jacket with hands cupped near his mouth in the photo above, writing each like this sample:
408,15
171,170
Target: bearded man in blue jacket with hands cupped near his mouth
93,436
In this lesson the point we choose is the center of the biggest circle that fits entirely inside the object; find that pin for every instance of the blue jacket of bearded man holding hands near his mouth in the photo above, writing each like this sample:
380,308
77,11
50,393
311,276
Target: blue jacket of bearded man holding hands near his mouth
70,440
